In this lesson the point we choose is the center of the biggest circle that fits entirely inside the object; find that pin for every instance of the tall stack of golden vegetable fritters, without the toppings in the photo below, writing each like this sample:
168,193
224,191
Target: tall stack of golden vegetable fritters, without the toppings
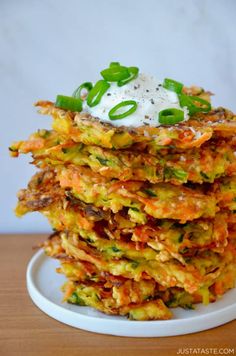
144,218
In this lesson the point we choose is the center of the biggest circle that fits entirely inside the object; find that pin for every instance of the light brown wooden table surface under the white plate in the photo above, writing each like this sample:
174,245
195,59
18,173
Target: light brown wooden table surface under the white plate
25,330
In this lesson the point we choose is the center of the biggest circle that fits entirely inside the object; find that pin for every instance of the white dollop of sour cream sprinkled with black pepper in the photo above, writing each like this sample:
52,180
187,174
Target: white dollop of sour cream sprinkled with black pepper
150,96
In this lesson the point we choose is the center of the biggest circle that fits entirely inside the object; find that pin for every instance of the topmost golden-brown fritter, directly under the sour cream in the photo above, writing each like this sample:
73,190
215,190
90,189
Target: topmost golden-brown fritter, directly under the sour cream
82,127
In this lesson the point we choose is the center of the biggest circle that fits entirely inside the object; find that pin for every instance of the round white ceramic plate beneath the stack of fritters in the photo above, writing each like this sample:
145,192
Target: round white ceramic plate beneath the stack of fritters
44,288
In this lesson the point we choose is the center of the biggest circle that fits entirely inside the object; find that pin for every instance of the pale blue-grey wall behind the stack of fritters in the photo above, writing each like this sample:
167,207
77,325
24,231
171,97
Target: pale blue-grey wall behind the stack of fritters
49,47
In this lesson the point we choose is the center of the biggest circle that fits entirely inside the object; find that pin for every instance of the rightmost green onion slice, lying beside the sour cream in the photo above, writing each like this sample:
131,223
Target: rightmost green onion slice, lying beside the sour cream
191,101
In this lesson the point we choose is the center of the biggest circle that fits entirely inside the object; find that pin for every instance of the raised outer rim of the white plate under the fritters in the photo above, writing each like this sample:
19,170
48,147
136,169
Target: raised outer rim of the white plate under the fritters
116,327
